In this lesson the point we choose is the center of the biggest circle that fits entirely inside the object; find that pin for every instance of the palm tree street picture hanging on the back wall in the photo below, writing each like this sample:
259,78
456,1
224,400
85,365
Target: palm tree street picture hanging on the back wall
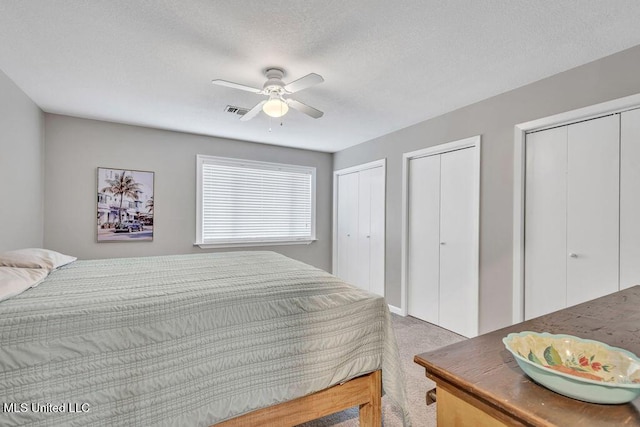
125,205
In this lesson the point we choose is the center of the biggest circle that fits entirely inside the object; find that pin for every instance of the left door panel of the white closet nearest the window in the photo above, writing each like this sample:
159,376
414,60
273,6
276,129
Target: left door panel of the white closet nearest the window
347,247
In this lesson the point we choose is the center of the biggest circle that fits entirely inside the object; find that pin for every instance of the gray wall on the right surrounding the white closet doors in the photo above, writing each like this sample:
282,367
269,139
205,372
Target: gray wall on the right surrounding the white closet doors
612,77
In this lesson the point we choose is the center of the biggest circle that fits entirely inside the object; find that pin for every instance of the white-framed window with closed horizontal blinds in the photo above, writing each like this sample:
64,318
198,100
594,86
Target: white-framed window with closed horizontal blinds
250,203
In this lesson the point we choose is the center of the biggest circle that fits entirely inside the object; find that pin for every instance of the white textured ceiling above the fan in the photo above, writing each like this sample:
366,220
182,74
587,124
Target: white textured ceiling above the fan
386,64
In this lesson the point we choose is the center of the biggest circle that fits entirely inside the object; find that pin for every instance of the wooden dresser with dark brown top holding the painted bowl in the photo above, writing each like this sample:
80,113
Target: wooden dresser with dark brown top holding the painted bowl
480,384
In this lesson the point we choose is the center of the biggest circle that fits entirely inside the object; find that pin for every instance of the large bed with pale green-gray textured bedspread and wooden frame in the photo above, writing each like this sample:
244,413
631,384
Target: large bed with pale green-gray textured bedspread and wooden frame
191,340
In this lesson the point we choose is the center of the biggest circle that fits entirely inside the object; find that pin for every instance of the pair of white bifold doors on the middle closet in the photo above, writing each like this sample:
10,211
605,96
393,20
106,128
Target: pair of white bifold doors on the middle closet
441,264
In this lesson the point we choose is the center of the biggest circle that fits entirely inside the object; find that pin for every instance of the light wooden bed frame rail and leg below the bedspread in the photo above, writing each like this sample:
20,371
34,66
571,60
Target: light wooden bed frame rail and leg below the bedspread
364,391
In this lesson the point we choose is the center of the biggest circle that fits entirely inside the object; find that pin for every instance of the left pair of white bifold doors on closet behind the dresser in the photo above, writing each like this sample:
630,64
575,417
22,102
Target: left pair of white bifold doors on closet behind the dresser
571,215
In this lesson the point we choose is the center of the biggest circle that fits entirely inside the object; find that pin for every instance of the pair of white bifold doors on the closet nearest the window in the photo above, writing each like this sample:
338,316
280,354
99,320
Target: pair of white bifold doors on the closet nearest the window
360,228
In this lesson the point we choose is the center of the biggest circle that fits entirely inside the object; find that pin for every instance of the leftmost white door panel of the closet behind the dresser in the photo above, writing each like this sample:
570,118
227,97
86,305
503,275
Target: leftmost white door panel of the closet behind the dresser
545,272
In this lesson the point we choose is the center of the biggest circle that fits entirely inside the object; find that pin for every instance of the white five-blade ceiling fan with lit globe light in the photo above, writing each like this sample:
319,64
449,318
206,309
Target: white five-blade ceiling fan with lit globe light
277,105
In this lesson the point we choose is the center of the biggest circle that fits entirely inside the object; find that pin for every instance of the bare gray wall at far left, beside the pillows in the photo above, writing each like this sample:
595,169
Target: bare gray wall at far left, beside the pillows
21,168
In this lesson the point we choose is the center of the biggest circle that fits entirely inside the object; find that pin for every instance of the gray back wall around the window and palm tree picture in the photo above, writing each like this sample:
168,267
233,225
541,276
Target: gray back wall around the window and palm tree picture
76,147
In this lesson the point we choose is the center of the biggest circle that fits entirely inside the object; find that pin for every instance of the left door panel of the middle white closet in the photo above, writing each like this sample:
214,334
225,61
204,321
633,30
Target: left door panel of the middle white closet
423,269
